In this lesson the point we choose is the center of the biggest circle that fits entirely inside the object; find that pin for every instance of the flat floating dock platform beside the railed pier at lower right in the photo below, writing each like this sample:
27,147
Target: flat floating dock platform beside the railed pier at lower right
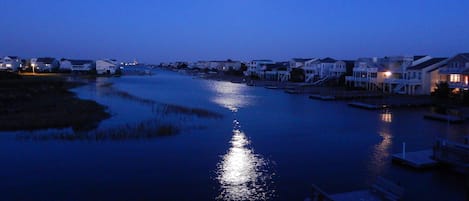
418,159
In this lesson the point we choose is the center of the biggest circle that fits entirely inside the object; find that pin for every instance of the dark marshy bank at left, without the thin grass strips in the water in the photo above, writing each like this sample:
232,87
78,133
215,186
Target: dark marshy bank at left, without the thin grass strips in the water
43,102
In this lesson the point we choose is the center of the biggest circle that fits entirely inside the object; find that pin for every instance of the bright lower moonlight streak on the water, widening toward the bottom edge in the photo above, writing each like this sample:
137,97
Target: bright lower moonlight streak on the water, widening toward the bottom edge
242,174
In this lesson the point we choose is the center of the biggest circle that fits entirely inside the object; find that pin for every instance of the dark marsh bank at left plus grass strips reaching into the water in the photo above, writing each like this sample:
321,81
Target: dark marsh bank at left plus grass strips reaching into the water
31,103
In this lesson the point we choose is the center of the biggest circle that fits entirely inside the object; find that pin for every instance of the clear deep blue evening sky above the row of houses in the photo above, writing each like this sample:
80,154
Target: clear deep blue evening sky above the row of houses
154,31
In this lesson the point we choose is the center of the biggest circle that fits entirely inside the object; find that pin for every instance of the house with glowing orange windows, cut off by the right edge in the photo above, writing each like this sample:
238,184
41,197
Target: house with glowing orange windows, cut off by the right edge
456,72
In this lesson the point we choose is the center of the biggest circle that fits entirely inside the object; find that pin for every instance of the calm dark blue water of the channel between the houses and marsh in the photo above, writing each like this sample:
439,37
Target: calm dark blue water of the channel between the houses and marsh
267,146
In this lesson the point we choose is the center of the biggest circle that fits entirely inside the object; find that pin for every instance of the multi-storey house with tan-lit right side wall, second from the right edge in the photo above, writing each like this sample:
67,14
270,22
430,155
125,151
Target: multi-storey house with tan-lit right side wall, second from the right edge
421,78
